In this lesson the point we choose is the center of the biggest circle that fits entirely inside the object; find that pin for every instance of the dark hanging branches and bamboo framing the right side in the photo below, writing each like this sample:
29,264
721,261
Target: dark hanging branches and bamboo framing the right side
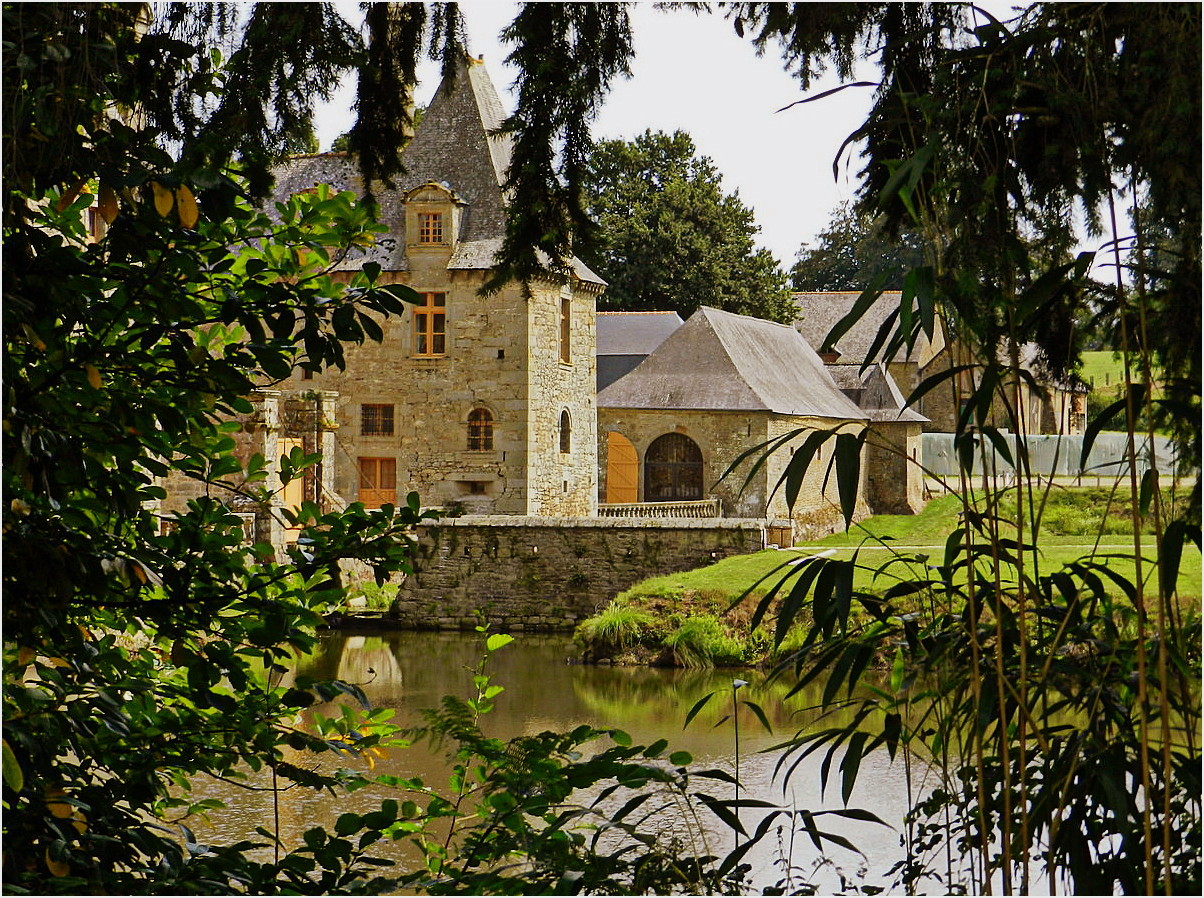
1058,705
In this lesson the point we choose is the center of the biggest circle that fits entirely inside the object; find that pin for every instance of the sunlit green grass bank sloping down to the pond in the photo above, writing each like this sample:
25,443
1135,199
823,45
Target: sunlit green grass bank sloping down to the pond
688,619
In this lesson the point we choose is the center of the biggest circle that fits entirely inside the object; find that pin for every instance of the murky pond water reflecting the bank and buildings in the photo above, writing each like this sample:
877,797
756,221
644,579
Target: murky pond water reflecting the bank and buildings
411,672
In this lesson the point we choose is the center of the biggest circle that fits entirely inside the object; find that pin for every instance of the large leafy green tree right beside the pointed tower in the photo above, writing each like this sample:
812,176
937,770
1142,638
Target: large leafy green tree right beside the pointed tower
670,239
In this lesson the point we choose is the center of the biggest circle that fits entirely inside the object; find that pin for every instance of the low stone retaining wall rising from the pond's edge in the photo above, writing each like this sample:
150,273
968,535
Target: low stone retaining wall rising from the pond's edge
550,575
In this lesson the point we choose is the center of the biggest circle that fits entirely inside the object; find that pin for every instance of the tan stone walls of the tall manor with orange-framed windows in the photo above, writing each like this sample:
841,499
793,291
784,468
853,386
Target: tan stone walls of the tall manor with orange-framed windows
503,356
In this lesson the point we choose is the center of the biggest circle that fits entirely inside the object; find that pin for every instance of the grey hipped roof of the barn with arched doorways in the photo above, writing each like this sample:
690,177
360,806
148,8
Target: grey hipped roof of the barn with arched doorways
722,362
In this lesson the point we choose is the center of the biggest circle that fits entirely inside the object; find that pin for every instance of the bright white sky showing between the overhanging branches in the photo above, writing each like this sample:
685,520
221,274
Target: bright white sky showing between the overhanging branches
693,73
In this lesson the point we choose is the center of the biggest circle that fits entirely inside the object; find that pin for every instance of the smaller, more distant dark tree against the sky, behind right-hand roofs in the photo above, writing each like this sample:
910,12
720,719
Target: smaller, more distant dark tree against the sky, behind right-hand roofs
853,252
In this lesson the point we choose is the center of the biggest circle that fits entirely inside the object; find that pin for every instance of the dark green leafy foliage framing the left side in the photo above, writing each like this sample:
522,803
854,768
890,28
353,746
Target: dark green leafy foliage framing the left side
141,657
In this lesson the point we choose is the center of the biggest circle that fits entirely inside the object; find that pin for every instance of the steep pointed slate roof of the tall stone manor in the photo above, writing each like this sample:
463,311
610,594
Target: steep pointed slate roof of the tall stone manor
455,145
